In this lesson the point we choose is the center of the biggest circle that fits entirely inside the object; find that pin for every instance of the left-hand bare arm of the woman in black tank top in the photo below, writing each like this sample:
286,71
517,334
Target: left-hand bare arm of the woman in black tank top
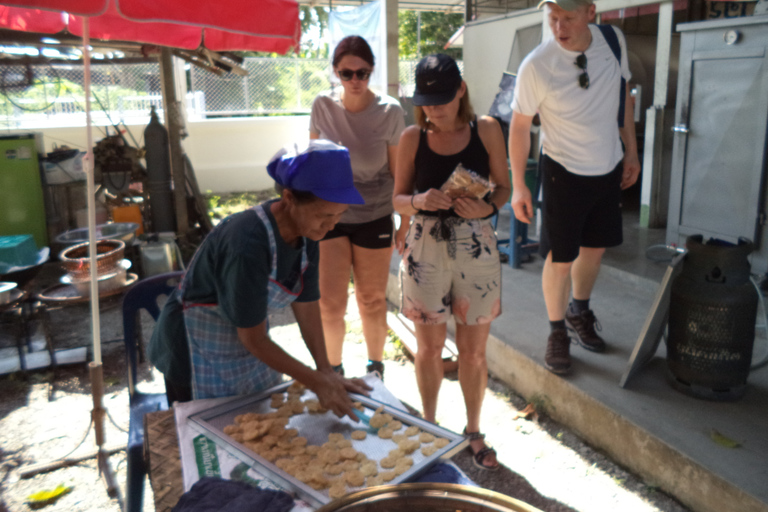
404,199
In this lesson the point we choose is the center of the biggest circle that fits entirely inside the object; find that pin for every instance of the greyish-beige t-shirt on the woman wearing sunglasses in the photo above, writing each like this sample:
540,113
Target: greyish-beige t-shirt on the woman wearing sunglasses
366,135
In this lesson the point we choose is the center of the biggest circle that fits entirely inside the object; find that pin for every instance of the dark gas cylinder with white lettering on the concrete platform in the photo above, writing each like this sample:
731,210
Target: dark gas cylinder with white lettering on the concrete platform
712,313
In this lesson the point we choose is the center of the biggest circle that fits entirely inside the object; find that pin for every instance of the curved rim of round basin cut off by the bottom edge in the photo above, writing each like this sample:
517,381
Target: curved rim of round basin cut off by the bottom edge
427,497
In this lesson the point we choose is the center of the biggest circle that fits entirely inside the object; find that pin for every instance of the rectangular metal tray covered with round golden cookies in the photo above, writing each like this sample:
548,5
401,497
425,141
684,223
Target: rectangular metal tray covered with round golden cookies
285,434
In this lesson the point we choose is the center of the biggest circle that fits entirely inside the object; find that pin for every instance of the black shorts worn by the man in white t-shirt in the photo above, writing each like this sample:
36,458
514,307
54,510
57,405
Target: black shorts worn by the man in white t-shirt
578,211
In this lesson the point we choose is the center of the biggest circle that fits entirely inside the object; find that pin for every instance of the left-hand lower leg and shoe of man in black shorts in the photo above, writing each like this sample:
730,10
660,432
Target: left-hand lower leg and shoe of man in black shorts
556,283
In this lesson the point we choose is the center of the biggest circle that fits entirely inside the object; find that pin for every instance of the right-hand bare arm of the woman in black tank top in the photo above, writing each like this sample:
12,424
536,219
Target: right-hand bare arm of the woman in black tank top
493,140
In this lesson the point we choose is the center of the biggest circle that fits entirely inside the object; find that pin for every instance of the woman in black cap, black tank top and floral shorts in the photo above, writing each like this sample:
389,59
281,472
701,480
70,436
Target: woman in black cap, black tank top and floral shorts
450,263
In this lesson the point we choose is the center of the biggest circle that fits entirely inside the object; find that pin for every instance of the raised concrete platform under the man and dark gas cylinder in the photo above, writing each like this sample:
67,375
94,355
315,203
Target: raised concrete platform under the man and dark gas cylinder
672,440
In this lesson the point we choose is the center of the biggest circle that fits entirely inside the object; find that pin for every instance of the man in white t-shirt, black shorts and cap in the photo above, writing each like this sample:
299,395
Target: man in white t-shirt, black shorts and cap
573,82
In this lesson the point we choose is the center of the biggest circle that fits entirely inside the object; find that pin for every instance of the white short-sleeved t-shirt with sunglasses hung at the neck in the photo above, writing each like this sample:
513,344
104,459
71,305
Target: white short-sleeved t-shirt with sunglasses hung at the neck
579,126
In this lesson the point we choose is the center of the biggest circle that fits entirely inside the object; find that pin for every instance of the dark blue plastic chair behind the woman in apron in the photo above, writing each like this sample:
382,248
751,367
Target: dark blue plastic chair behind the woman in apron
143,295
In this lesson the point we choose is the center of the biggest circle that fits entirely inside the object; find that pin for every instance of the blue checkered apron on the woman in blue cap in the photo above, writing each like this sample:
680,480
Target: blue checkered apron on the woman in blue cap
221,365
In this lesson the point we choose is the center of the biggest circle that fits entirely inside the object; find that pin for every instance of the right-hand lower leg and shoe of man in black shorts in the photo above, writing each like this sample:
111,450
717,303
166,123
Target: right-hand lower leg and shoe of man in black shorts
580,319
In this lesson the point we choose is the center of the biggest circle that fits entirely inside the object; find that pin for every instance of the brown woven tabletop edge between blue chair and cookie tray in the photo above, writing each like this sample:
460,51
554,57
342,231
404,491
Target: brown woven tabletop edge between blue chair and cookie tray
161,447
